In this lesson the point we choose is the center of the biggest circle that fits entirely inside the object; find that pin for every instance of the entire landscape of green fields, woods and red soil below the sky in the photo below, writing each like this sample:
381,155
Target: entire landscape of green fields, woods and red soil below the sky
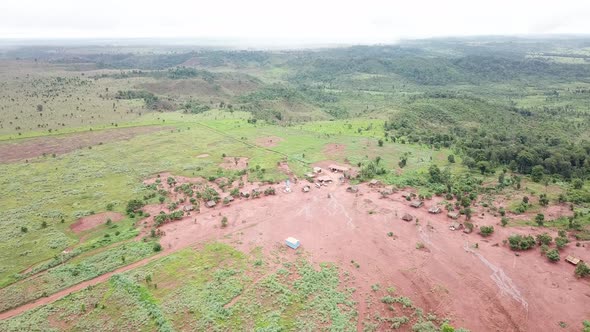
146,188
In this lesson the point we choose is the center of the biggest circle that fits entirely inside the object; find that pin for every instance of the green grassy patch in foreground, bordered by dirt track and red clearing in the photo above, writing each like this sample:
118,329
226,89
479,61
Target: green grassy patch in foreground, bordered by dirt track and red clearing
217,288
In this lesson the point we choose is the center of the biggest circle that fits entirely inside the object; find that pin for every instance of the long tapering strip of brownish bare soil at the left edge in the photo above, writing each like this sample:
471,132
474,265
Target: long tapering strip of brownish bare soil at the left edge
35,147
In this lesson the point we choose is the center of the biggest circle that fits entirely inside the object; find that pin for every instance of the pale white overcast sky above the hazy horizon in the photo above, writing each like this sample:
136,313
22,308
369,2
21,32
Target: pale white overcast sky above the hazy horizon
313,21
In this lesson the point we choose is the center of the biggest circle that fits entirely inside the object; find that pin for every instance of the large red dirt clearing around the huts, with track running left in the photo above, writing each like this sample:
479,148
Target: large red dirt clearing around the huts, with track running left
483,288
